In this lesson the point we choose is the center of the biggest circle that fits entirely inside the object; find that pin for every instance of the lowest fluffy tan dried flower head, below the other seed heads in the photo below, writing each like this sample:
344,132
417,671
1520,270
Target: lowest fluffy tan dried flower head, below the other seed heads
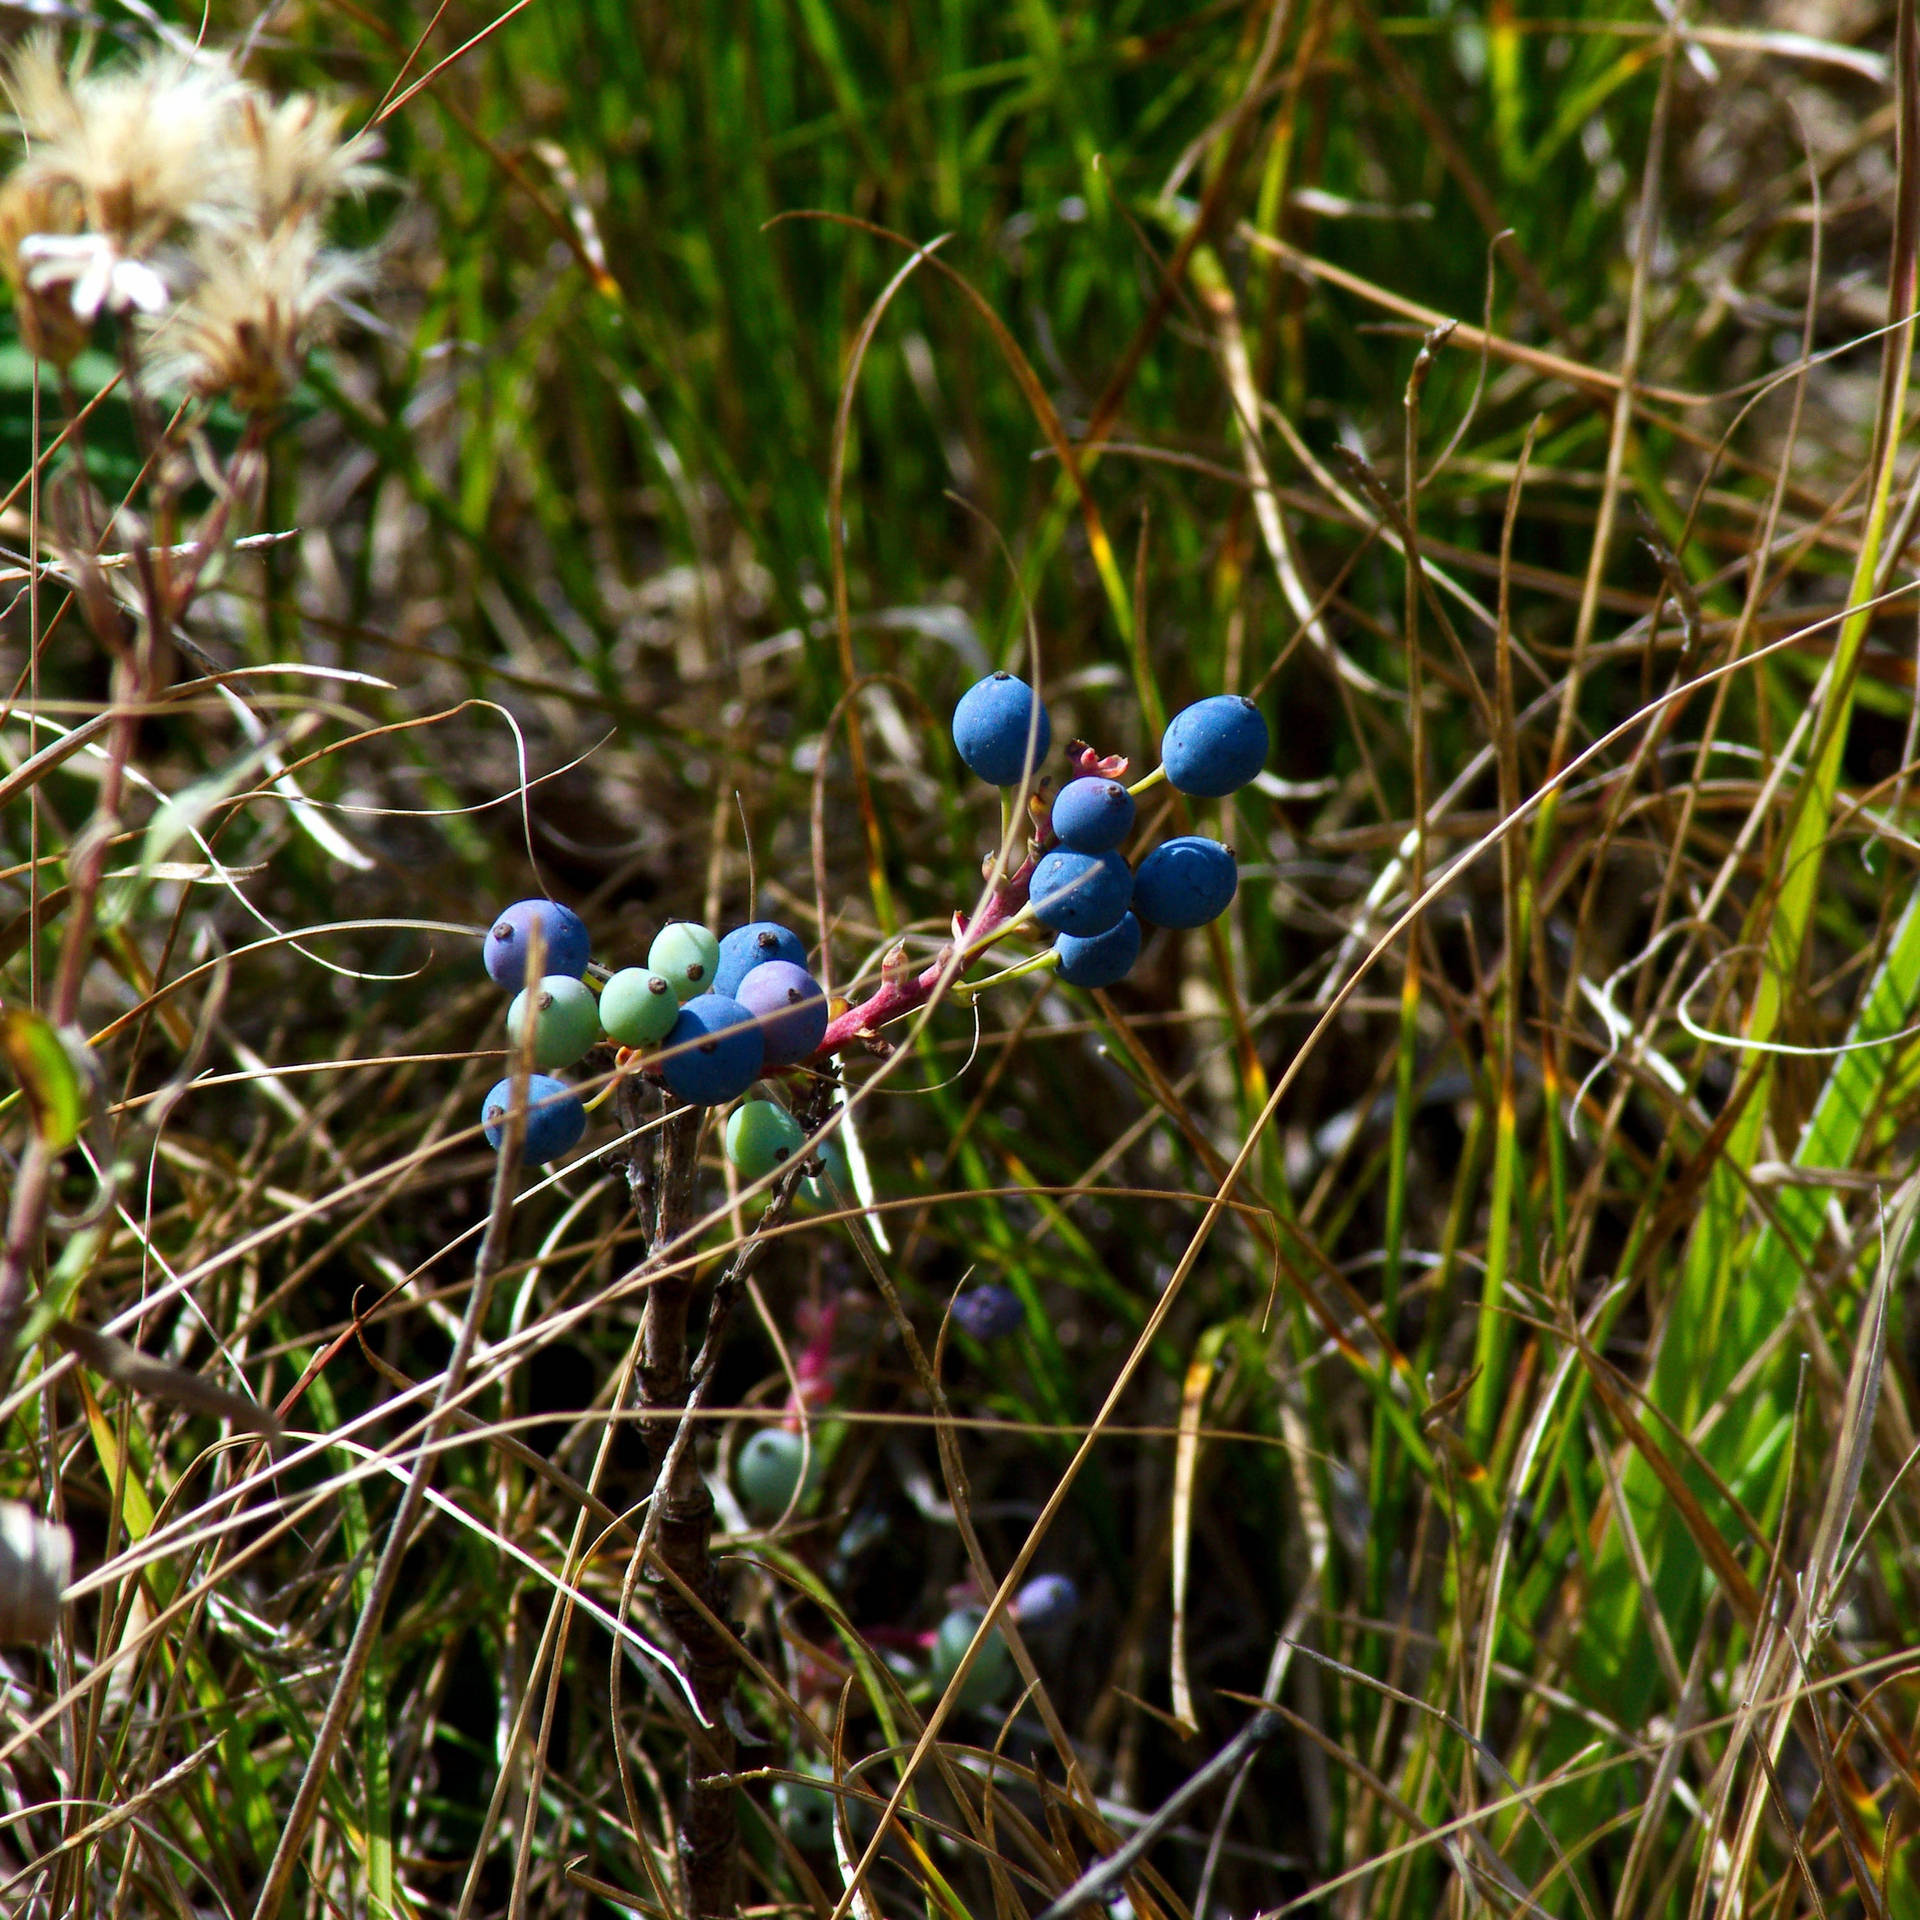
256,308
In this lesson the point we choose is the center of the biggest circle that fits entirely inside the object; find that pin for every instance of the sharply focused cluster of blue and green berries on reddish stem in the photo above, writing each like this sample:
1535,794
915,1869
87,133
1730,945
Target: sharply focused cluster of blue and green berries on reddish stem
708,1017
